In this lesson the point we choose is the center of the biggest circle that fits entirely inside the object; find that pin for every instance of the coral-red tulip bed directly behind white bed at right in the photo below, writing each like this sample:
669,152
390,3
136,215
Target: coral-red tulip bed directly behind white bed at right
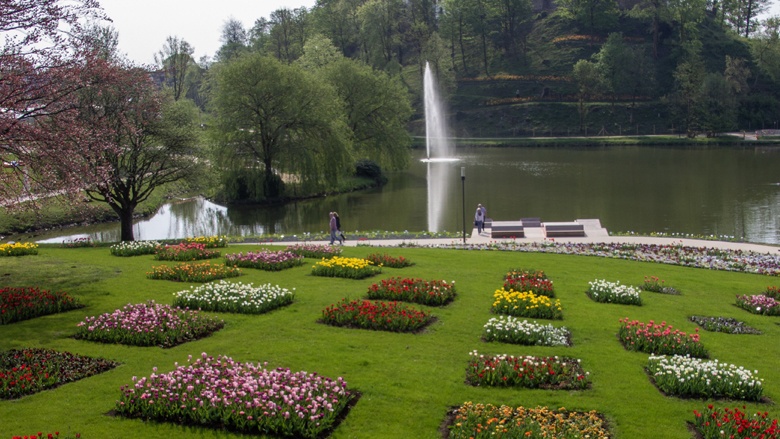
660,339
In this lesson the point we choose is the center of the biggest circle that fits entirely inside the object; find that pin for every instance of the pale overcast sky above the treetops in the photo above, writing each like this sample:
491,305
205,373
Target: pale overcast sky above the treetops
143,25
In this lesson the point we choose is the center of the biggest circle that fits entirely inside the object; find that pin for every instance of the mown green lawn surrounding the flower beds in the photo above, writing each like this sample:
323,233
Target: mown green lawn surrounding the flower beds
408,381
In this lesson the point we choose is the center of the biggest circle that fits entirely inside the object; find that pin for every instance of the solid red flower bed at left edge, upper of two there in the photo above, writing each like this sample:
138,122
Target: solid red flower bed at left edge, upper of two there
23,303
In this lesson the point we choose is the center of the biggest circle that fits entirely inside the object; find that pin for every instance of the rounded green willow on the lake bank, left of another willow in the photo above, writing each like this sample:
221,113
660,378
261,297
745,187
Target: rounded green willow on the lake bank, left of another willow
278,122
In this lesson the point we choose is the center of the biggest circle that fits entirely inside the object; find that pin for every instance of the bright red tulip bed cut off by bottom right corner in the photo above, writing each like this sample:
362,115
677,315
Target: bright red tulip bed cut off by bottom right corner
734,423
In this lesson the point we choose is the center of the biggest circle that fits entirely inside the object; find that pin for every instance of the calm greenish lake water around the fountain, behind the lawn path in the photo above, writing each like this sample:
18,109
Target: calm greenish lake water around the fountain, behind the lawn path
719,191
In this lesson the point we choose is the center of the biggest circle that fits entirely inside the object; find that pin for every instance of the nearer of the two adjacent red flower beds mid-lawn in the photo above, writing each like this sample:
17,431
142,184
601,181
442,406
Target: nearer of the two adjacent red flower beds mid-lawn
380,316
